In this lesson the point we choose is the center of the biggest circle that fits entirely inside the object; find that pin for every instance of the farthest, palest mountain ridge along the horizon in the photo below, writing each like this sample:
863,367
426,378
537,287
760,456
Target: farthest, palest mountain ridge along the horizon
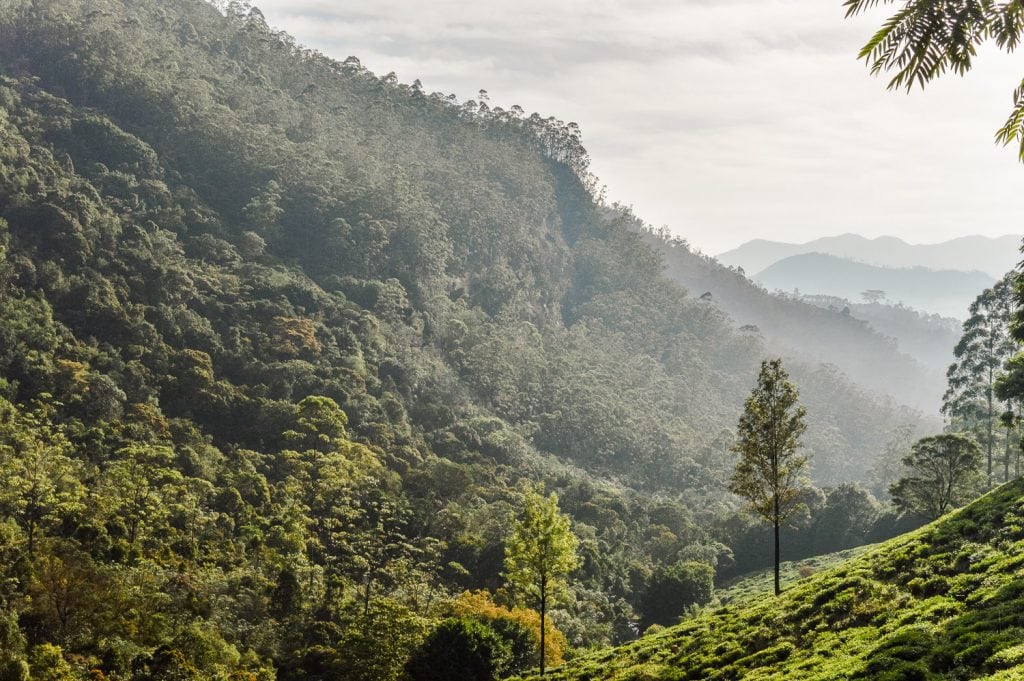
995,257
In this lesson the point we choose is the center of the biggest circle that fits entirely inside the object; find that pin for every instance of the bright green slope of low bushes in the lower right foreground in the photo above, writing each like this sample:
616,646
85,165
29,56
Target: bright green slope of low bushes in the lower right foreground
946,602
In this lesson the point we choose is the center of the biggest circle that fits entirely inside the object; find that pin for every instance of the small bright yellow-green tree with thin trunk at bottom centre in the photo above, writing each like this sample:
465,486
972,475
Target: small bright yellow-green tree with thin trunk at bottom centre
540,556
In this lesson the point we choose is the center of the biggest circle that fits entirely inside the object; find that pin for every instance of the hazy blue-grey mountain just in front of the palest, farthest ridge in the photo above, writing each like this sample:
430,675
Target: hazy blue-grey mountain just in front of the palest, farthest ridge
945,291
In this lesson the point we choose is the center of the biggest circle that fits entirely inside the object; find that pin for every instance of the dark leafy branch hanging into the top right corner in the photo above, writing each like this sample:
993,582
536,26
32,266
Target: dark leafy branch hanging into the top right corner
928,38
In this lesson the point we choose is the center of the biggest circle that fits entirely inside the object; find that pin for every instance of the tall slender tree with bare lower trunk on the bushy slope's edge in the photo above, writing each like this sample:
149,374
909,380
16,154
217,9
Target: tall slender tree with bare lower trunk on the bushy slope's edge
770,474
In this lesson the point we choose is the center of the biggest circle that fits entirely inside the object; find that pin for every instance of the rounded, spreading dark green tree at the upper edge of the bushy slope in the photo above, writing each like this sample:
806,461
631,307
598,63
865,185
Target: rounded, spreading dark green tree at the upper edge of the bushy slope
944,475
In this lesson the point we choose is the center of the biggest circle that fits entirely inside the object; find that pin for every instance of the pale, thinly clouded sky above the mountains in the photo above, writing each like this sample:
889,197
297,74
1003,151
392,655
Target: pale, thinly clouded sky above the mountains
724,120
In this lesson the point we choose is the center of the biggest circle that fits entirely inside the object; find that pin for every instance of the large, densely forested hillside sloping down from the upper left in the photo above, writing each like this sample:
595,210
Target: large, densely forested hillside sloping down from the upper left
282,344
